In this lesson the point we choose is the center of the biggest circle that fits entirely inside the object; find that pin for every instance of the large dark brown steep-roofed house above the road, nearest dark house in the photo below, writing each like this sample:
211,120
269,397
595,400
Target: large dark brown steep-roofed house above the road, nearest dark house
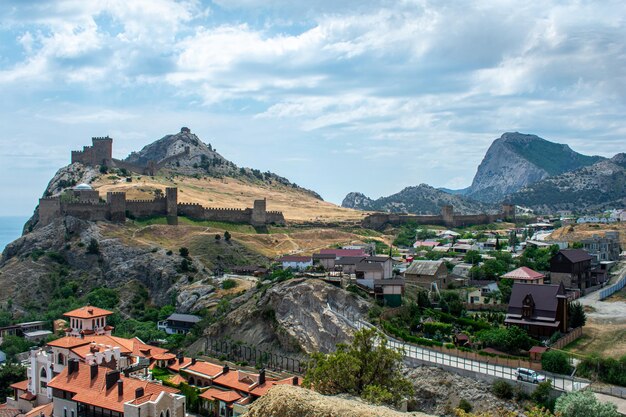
541,310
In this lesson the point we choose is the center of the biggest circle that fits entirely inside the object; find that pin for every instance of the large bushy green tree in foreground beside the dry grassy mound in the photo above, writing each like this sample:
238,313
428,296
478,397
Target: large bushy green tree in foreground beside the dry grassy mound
366,368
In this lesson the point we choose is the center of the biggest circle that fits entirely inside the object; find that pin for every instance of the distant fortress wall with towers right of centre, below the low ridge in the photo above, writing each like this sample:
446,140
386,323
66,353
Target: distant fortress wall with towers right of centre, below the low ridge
446,218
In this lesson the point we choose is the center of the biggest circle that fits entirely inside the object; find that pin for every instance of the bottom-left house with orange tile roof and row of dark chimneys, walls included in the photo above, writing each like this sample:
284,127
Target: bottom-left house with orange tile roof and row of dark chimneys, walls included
82,390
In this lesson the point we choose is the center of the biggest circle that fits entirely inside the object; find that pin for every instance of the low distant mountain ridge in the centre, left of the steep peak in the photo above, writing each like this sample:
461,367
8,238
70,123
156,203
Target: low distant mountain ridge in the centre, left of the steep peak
422,199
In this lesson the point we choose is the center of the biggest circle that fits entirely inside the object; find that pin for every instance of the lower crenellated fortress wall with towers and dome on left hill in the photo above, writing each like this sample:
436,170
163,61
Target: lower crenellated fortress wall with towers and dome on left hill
84,203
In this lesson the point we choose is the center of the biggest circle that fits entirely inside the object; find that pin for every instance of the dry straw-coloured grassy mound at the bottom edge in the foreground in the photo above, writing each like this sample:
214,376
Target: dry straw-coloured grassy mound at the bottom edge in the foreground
290,401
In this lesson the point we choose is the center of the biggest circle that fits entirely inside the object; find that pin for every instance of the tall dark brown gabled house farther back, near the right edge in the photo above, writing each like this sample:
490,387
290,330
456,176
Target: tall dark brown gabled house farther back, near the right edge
572,267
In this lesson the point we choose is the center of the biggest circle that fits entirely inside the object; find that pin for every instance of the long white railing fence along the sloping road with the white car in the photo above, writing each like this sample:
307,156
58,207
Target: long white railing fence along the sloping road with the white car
467,361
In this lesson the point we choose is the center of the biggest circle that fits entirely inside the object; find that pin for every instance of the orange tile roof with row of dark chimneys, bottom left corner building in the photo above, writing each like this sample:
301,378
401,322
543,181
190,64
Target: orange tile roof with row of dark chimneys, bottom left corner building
94,392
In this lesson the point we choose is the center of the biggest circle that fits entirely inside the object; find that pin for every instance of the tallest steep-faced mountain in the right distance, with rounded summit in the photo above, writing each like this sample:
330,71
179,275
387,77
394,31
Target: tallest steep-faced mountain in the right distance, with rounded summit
517,160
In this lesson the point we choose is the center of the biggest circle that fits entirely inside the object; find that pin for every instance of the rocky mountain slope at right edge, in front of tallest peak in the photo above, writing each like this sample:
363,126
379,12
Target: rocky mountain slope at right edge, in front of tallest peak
590,189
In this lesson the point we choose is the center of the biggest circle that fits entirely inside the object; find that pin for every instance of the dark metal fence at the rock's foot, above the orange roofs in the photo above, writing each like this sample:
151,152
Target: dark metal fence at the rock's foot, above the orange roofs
238,352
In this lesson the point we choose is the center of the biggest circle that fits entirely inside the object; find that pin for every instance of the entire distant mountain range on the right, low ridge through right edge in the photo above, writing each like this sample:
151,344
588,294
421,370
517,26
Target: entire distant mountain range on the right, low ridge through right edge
523,169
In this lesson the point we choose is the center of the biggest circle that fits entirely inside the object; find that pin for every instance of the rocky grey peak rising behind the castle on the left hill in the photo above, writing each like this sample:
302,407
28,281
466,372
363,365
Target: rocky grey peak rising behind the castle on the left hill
184,153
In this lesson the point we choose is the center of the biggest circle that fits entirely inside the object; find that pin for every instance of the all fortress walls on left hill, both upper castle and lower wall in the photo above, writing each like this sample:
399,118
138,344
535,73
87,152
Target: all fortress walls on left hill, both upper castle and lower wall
85,203
